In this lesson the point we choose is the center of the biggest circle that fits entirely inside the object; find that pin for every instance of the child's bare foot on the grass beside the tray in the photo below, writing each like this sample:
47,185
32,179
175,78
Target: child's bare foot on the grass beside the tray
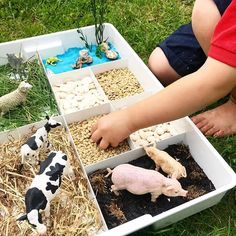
218,122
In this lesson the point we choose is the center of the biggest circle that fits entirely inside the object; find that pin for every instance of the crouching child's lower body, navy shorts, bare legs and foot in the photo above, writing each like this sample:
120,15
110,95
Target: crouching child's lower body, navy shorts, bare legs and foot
184,51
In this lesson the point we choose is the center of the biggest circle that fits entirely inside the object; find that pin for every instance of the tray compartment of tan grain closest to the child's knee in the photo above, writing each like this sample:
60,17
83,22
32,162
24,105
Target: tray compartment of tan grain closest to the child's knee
123,78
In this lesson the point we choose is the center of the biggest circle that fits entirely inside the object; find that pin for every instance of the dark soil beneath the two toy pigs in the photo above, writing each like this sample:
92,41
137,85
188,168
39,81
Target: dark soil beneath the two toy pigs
125,207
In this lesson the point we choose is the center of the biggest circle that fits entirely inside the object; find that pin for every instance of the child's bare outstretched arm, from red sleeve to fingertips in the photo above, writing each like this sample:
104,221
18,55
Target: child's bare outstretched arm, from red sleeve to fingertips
211,82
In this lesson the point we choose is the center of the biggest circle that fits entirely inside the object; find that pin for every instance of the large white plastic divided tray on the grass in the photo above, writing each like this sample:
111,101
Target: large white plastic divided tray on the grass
214,166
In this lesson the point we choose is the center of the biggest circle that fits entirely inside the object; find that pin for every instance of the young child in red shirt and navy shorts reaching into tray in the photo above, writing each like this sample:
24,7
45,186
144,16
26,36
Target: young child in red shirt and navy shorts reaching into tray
204,81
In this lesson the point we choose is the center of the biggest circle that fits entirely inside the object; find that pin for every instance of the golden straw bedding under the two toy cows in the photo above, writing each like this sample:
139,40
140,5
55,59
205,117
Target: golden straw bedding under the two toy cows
73,212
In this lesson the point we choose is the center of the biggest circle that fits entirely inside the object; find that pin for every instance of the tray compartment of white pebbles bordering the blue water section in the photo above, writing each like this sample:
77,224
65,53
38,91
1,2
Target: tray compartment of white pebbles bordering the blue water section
77,90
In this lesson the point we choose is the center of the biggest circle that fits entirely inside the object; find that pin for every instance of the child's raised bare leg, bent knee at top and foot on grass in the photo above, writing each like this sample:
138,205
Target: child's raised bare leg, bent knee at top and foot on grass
220,121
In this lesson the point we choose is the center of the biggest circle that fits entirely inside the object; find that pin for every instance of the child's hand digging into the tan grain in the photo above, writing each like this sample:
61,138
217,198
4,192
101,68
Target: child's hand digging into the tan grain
112,129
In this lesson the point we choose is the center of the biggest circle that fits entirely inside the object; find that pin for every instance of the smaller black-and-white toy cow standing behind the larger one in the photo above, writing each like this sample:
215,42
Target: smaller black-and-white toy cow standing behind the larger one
39,140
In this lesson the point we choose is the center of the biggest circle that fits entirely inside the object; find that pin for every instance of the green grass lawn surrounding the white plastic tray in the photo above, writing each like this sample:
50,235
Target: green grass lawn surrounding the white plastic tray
143,23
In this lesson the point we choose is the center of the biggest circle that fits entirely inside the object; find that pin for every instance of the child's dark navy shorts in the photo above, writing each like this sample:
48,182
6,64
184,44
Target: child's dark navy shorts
182,49
